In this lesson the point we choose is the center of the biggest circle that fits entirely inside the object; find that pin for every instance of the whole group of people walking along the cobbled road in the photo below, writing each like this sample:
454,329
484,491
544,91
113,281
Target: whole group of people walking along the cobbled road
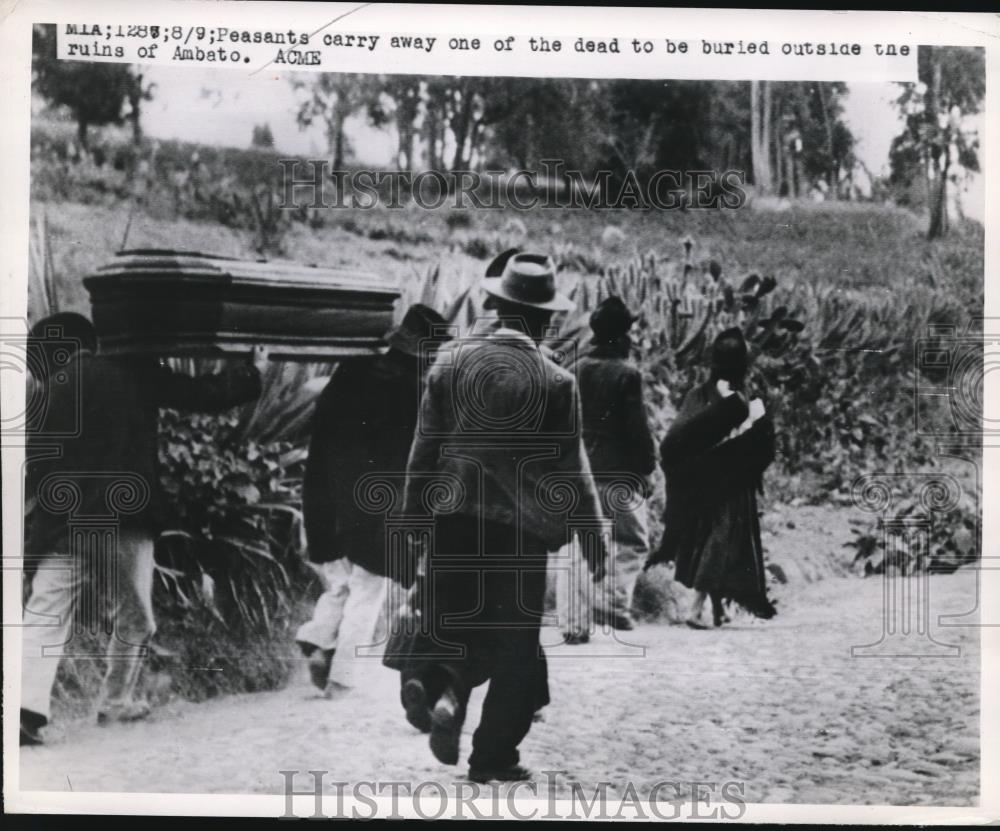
505,461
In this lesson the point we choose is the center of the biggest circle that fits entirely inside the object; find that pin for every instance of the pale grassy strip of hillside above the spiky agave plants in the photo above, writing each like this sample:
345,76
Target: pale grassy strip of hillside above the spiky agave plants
870,251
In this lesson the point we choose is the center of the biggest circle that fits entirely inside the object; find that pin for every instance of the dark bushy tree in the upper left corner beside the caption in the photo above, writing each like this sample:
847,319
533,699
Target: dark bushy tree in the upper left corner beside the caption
94,93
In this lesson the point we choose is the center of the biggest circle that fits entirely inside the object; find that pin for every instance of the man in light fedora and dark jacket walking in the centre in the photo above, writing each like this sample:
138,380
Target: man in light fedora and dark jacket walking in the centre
501,422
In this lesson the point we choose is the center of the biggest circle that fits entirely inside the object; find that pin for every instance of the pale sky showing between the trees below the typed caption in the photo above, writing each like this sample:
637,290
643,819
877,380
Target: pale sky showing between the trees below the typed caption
222,107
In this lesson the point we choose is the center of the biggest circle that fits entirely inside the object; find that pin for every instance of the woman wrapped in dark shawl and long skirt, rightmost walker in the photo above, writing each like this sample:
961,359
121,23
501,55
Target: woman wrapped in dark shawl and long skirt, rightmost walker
714,456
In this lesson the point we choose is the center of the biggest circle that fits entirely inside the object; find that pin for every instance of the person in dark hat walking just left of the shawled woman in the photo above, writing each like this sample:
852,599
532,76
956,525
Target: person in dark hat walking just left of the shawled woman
622,454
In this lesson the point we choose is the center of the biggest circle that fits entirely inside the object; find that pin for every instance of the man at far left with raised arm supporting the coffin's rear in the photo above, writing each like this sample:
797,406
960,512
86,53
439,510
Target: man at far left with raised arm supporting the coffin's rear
95,444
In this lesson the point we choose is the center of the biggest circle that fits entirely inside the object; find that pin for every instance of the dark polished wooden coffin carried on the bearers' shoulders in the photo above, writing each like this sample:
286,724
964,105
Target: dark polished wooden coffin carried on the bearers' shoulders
164,302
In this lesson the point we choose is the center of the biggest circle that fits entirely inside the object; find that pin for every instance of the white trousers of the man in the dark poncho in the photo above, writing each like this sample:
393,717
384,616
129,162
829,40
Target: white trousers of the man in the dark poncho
349,617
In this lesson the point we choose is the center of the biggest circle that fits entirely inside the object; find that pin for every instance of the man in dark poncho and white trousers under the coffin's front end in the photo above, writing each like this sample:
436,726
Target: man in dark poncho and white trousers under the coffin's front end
364,423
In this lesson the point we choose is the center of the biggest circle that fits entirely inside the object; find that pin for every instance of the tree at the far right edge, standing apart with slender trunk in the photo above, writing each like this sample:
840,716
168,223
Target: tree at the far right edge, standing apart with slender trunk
951,85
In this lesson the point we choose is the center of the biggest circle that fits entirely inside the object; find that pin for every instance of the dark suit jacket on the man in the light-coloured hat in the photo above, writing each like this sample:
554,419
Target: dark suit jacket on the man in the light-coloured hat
501,422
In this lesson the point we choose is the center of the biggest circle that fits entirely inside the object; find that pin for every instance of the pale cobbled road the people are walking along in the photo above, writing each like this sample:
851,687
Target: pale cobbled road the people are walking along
780,706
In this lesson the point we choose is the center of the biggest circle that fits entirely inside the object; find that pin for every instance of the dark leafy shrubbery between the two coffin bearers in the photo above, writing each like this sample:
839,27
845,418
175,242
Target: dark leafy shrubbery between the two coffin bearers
230,568
